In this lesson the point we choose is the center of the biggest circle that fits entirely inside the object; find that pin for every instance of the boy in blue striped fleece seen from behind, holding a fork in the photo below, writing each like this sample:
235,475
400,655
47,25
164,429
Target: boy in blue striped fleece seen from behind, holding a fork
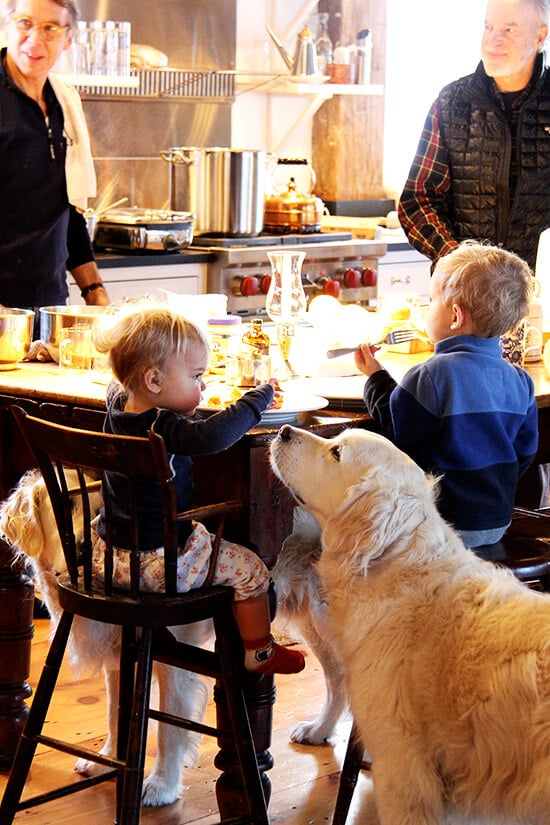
465,414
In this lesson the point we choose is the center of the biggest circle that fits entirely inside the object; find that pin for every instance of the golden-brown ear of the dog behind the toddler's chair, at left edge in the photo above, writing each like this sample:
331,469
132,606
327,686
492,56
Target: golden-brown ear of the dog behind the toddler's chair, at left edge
20,522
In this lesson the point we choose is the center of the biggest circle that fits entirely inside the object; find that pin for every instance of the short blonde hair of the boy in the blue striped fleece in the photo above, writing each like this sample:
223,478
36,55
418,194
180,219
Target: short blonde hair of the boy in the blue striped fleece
495,286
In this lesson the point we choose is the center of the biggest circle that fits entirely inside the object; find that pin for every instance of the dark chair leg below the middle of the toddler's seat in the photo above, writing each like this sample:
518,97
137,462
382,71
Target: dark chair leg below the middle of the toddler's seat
137,738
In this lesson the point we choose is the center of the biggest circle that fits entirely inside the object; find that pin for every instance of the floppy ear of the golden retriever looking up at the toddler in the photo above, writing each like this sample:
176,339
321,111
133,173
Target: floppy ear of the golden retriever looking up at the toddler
372,522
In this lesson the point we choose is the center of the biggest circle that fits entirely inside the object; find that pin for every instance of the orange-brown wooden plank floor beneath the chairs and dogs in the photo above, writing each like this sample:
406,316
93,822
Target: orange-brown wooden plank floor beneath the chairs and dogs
304,779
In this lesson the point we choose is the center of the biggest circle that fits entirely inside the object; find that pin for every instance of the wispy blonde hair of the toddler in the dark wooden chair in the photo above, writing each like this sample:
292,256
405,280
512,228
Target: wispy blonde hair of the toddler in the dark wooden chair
147,338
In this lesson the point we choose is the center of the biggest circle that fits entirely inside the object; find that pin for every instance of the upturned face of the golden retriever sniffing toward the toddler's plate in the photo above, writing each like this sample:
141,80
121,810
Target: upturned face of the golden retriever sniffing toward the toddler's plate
321,473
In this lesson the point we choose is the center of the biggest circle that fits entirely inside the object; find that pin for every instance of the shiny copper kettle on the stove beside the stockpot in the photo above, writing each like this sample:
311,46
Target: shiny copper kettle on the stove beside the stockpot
292,211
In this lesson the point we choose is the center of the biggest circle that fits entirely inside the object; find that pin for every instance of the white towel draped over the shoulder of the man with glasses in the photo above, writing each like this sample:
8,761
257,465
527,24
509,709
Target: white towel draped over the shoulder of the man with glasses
79,164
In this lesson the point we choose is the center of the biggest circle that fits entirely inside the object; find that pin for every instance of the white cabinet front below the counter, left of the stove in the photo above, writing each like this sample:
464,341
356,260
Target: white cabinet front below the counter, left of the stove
126,282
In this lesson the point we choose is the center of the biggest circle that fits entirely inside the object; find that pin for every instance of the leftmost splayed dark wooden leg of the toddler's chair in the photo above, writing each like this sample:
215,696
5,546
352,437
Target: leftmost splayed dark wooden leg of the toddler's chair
35,721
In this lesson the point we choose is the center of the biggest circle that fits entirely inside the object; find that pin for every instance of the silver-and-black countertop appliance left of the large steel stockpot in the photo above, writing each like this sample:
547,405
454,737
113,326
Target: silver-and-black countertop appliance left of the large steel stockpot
160,230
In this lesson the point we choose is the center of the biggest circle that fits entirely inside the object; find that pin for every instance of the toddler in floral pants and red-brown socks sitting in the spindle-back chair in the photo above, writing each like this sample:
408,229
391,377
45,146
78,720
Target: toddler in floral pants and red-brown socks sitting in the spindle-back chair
159,359
